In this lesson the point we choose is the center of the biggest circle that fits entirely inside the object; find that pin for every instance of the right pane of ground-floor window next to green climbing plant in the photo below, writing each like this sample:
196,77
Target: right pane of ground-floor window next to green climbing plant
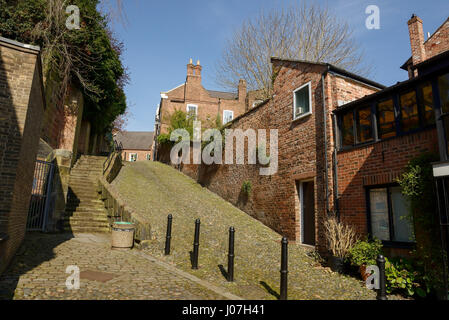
403,228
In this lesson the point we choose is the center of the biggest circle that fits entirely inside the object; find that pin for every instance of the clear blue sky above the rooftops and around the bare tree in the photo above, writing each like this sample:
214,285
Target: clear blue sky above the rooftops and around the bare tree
161,36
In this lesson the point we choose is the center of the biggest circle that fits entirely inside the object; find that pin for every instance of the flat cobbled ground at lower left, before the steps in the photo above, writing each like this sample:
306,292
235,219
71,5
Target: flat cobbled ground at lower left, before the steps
39,272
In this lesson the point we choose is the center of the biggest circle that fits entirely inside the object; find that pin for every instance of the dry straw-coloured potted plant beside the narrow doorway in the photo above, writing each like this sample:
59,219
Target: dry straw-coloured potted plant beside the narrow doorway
340,238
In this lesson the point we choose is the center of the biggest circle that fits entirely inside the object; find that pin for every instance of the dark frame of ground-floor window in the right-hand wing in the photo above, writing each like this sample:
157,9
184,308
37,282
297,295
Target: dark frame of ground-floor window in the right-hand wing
387,243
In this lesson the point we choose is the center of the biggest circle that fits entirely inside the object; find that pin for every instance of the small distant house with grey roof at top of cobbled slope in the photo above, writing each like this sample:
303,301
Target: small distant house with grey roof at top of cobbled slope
137,146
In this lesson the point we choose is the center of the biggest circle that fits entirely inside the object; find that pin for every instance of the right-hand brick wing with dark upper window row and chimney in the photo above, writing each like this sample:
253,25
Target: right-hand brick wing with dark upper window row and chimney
378,134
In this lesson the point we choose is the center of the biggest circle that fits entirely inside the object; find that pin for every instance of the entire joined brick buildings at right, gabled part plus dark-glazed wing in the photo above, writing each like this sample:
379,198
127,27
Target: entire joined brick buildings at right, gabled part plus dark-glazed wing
364,132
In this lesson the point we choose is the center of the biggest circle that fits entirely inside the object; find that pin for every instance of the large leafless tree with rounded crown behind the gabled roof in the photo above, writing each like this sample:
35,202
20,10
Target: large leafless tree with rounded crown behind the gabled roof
304,32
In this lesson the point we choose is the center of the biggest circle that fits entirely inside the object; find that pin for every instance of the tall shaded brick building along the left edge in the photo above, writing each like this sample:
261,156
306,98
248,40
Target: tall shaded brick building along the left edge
22,104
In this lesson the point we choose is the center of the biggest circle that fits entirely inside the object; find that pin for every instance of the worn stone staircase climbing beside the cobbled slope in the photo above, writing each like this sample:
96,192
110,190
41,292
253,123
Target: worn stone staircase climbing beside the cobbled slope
85,212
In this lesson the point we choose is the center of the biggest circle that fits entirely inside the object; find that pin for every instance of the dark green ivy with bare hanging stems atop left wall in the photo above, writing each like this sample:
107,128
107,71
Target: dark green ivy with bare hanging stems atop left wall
89,58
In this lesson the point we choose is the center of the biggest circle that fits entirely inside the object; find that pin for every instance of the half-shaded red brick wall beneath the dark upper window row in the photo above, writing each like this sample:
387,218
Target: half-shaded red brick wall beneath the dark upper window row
376,164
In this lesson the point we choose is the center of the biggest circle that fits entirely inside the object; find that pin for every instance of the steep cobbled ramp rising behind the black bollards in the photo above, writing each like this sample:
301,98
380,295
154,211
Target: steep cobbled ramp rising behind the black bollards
159,190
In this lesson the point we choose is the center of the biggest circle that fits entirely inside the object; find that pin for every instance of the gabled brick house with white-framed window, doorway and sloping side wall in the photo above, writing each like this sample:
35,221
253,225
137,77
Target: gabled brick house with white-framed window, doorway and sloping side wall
293,201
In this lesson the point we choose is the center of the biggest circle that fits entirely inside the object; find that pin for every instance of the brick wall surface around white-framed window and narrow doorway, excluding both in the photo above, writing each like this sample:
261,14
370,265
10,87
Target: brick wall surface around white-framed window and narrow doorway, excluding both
274,199
